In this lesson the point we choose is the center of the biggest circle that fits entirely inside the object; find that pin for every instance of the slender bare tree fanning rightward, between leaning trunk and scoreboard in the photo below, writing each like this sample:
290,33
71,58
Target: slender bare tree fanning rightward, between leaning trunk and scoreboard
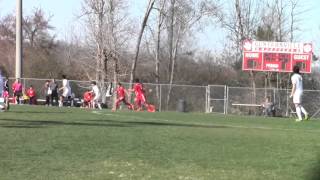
182,17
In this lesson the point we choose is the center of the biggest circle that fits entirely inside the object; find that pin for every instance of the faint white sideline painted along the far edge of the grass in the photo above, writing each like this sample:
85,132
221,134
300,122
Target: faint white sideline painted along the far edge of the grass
223,125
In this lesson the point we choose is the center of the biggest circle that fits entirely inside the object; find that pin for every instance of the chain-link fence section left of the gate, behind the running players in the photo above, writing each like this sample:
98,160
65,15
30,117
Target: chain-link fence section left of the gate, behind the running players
195,97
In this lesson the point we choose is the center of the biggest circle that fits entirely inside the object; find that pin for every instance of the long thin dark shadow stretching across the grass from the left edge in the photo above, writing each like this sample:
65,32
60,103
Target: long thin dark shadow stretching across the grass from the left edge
22,123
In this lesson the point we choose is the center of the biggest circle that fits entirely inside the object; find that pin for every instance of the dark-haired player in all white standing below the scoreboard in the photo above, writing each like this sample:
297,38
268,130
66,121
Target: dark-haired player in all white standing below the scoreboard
296,94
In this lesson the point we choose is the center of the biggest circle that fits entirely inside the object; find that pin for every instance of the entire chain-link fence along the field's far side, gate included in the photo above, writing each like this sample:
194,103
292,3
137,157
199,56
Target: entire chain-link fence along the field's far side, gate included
213,98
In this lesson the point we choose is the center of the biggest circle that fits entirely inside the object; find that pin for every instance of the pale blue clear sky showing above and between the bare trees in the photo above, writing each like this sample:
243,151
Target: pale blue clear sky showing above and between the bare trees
65,11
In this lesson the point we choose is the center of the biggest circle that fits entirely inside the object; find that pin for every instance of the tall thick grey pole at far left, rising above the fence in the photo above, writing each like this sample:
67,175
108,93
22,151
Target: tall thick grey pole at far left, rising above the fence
18,38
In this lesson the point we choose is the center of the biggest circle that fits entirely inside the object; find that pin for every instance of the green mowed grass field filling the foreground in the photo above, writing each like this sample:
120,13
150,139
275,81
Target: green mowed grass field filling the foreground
77,144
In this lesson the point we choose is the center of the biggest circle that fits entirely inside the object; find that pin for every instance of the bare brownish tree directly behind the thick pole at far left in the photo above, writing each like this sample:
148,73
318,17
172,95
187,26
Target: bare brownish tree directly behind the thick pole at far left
39,44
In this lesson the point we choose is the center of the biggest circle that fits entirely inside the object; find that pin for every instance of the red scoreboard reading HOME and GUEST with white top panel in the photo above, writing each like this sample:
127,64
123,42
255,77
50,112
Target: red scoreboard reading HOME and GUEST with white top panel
276,56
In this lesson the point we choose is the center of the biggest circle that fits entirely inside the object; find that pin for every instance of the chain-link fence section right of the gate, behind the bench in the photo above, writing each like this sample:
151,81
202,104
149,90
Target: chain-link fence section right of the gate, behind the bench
241,100
